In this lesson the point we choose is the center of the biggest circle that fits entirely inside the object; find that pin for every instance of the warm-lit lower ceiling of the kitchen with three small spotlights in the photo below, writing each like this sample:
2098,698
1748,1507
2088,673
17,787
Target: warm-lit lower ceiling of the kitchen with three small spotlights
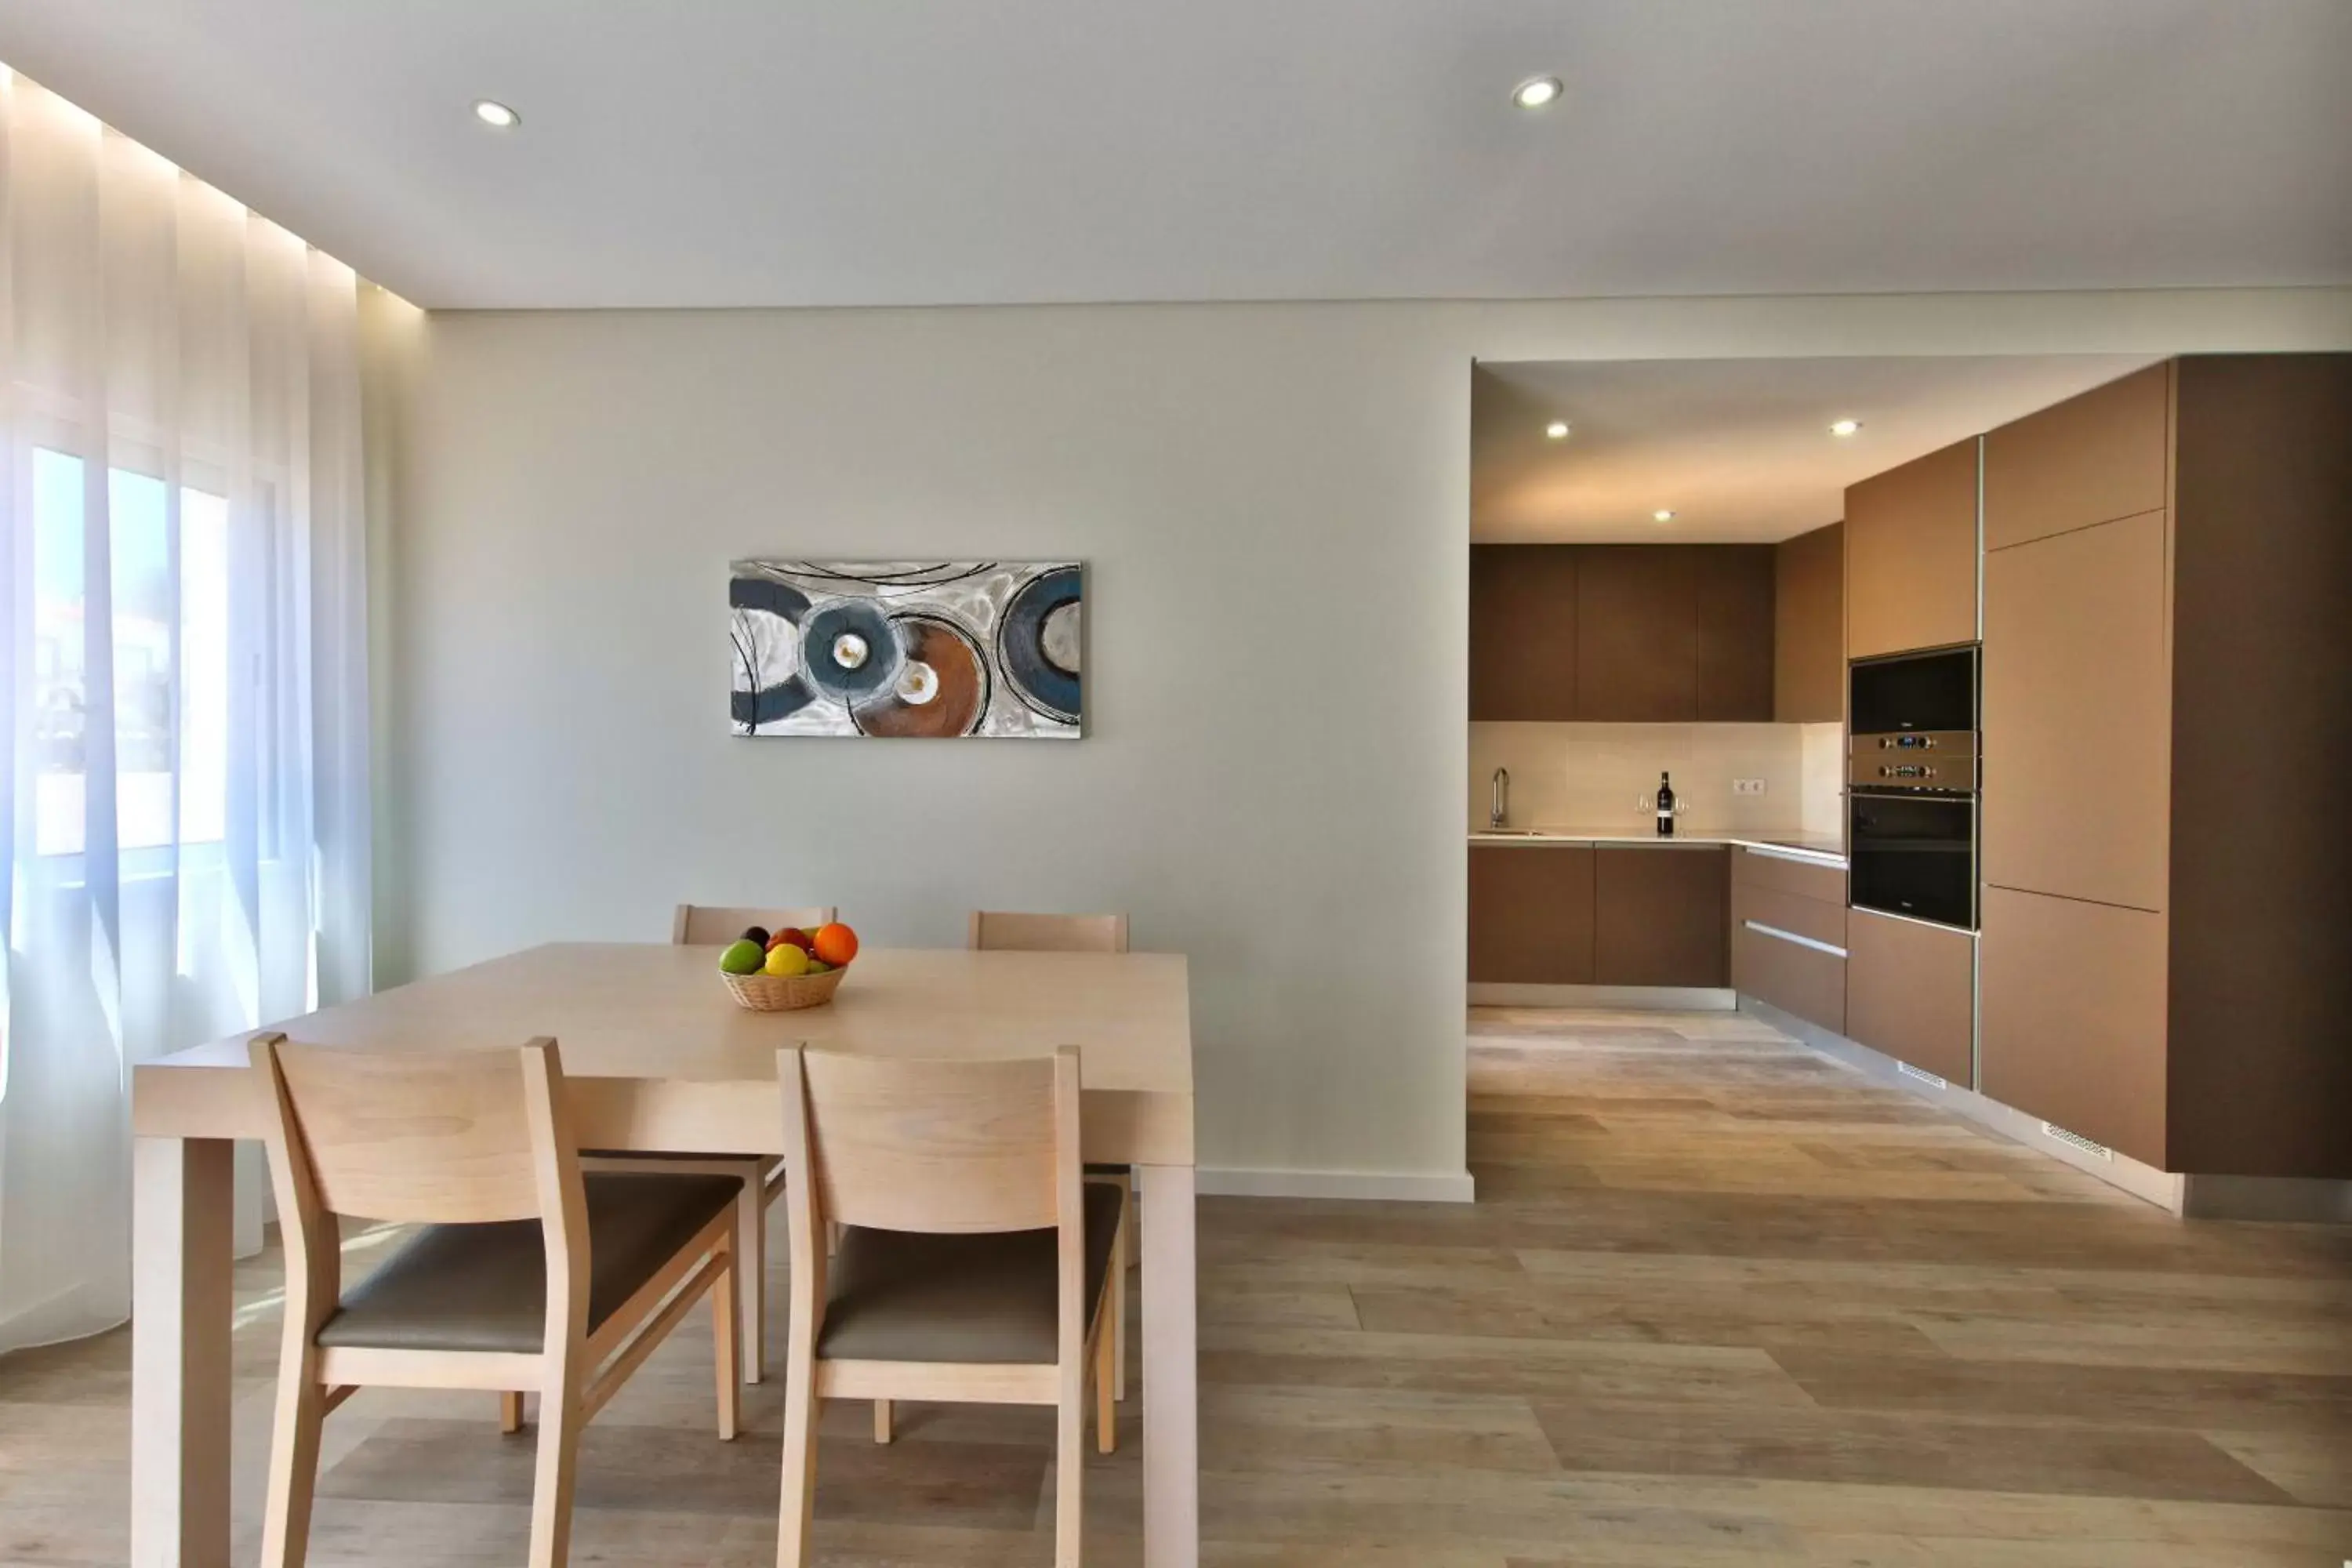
1739,450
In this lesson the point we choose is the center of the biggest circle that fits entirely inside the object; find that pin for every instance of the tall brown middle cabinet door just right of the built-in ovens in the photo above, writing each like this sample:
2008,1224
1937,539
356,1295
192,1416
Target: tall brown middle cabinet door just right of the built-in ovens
2078,716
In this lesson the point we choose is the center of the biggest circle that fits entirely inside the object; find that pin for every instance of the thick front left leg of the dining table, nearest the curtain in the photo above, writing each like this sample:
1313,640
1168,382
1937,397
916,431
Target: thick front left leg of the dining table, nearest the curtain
182,1242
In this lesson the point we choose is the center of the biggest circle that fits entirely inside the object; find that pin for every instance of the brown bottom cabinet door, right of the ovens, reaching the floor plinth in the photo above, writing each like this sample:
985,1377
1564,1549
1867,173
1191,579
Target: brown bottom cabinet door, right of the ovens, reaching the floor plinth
2076,1017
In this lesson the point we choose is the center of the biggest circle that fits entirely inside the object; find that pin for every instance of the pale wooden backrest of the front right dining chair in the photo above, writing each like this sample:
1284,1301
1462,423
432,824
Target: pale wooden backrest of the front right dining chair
933,1146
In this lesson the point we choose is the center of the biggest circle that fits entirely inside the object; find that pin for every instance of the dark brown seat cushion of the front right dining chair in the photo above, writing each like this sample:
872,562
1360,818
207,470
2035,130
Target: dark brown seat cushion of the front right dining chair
996,1299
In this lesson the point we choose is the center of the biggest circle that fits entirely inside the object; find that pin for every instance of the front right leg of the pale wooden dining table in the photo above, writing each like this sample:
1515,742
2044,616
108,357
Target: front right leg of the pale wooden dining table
1170,1372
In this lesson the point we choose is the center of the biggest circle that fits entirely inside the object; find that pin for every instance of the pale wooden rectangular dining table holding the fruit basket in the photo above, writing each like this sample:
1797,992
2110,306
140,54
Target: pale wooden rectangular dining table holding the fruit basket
660,1059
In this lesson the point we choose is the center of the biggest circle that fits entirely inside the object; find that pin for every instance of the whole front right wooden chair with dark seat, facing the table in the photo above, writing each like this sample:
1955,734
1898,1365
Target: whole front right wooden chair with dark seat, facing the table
975,1261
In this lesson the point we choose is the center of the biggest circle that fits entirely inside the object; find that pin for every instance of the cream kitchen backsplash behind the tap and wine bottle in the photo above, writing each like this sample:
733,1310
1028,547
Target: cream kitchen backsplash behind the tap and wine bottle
1603,775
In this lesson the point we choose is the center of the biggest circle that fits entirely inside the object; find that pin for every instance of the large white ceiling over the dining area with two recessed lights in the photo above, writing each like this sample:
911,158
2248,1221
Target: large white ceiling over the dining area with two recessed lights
871,152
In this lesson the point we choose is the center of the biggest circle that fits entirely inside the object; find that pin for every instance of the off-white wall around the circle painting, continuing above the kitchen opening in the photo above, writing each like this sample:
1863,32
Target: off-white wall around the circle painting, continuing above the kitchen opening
1274,507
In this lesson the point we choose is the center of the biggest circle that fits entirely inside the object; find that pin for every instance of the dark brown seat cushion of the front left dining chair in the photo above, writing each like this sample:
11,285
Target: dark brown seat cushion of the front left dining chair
486,1287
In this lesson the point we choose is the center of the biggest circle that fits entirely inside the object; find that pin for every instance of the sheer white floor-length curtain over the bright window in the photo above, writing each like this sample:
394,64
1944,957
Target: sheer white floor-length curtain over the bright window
185,657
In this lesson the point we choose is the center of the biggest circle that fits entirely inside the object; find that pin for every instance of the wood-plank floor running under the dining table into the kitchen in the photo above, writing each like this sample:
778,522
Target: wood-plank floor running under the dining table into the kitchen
1720,1304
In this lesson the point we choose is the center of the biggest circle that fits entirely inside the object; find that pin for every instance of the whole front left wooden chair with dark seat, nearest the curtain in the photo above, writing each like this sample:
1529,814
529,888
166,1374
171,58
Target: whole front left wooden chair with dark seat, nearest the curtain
526,1278
